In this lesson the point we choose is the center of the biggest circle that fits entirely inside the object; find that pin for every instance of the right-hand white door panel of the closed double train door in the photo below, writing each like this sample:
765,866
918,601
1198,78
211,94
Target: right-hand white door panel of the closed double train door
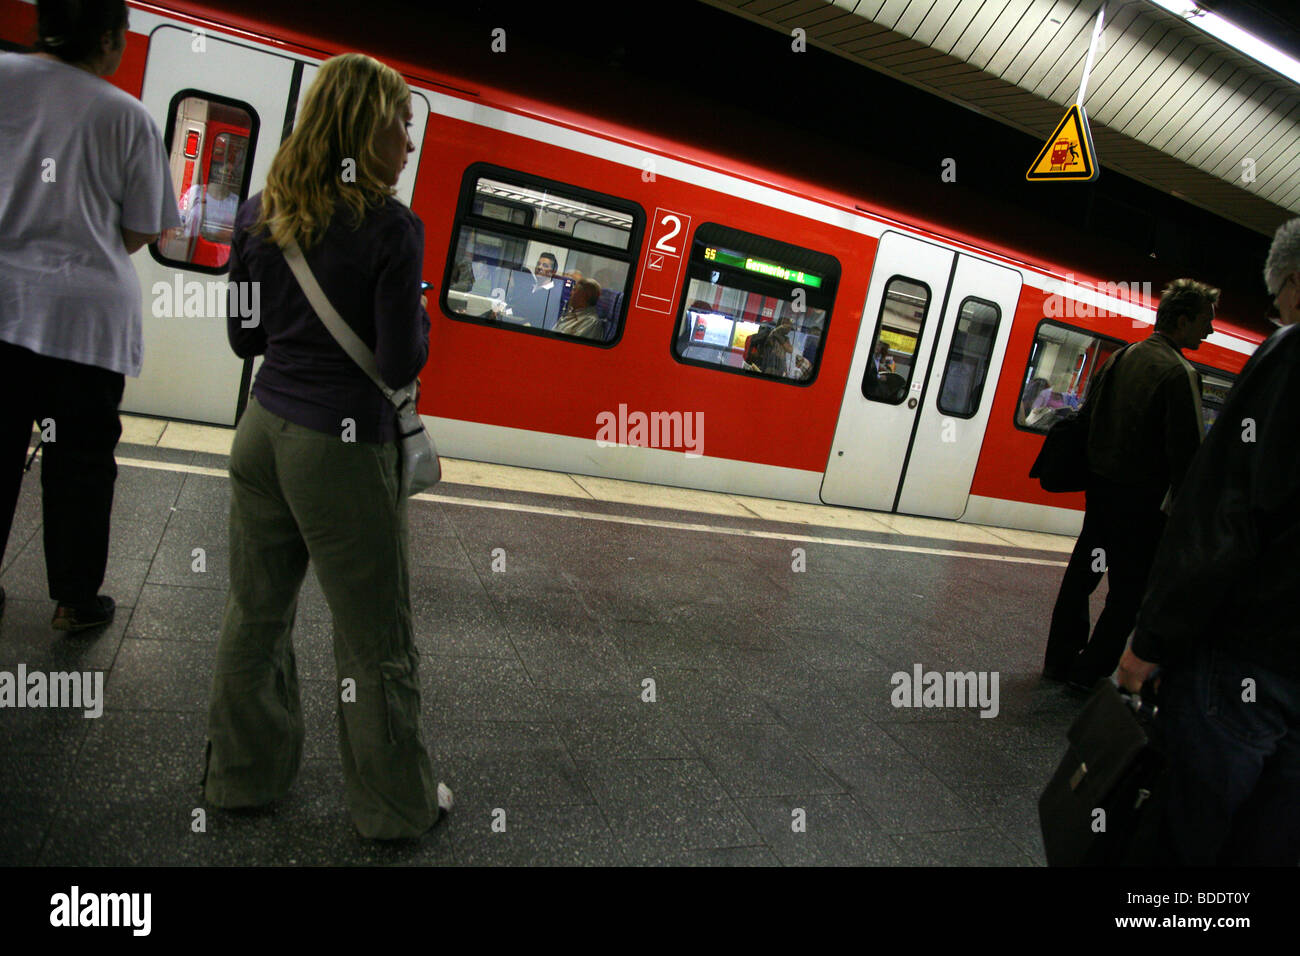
959,393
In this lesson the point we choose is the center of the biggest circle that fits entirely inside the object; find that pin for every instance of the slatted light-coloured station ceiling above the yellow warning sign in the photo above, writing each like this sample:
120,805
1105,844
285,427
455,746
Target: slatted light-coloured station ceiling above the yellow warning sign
1168,105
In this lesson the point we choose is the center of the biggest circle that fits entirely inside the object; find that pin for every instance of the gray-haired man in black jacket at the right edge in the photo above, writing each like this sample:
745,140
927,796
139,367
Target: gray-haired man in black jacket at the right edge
1221,616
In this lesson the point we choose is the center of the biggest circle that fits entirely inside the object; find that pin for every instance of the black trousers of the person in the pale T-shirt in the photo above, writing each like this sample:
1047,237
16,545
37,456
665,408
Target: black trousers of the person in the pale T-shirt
79,405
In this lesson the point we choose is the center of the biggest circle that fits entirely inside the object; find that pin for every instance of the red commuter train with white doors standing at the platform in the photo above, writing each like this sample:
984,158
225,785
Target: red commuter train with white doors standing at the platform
903,367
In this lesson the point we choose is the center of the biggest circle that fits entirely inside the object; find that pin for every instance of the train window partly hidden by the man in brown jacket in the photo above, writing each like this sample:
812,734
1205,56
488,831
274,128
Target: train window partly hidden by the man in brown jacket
1063,364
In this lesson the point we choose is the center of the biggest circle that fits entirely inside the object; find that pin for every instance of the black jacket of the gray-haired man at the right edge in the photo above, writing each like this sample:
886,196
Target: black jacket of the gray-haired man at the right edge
1228,570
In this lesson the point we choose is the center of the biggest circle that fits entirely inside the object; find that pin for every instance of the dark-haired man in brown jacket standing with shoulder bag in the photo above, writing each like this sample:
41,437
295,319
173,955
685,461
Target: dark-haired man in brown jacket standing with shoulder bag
1146,427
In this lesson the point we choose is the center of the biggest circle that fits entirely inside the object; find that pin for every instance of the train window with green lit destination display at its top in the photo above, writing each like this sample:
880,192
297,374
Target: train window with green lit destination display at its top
756,306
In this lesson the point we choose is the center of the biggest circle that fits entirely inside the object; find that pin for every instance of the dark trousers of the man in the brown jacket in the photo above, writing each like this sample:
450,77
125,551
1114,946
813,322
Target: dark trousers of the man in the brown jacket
1125,526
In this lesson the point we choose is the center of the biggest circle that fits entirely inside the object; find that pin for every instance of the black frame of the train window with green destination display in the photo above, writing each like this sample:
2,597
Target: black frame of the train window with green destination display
769,287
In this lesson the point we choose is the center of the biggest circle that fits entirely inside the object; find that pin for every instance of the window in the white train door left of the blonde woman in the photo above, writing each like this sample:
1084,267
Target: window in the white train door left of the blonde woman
210,153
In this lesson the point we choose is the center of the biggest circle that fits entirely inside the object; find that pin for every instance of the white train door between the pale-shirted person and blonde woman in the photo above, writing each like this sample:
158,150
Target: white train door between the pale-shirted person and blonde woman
222,107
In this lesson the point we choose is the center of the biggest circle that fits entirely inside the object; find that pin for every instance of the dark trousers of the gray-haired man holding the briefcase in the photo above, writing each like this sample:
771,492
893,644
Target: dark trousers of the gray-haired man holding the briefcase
1234,765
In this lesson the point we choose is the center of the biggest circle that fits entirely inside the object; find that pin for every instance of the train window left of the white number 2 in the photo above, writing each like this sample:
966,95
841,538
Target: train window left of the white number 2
541,257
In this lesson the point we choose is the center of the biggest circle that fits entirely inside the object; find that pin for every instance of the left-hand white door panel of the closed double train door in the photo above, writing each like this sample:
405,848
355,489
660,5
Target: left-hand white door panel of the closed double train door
879,412
